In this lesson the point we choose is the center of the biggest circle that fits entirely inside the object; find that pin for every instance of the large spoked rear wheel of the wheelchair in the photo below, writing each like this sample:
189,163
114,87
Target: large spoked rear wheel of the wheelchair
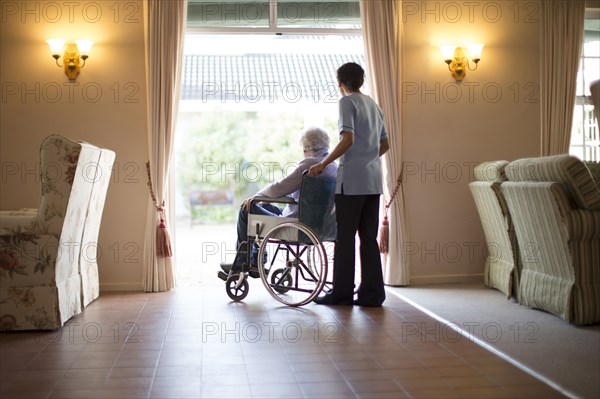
296,270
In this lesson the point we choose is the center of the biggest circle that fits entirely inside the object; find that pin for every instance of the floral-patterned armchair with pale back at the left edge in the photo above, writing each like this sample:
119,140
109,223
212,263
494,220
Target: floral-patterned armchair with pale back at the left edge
41,250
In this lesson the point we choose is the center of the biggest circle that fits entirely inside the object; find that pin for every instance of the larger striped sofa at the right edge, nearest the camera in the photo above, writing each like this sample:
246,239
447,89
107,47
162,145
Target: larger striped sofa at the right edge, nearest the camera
555,206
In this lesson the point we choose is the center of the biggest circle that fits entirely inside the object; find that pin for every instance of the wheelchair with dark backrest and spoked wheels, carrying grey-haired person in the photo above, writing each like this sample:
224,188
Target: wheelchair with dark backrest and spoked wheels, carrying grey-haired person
292,260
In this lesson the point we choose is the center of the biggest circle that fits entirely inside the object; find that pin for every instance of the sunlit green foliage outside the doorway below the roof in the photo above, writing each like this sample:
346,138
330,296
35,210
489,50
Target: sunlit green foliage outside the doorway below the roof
240,152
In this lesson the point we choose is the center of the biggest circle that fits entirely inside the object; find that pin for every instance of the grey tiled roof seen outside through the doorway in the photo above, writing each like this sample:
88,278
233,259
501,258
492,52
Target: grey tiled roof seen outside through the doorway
262,77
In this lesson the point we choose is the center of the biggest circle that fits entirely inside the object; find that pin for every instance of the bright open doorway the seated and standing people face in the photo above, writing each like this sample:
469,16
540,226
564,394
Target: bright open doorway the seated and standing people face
244,100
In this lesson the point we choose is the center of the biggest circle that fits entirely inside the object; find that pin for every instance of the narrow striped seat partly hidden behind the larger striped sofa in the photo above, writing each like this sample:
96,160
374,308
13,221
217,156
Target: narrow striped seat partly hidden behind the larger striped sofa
501,271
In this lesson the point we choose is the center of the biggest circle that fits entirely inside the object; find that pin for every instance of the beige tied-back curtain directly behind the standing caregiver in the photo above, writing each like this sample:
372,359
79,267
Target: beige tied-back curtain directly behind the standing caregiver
382,29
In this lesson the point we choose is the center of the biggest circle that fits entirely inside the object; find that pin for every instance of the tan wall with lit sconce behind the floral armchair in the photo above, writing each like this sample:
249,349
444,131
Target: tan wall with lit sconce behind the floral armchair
106,106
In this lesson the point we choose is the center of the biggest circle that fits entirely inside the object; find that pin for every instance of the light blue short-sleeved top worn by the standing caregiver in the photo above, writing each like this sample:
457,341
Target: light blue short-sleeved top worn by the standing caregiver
359,171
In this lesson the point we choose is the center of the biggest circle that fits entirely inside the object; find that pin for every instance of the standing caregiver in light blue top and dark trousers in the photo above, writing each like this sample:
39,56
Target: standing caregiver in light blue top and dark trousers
363,140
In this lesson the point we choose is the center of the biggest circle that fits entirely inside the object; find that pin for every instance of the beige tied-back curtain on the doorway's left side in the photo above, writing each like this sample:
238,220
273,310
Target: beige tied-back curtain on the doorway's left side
164,30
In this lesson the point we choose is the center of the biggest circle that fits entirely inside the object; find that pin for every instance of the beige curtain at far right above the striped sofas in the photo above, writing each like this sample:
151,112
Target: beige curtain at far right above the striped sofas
561,35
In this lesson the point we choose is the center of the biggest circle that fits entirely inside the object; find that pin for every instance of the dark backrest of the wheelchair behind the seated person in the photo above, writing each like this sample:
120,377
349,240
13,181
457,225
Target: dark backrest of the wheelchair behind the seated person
317,206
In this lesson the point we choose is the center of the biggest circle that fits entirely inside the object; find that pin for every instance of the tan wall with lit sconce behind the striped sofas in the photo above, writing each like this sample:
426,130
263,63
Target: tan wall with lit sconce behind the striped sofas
449,127
